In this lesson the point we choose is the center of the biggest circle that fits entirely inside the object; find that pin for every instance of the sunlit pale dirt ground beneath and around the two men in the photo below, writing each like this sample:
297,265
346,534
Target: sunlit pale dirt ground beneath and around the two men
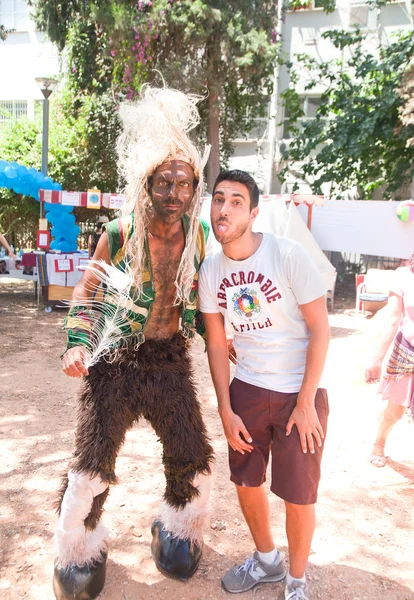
363,547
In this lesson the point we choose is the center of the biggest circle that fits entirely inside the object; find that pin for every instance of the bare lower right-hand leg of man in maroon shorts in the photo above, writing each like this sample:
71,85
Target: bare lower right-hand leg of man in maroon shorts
300,525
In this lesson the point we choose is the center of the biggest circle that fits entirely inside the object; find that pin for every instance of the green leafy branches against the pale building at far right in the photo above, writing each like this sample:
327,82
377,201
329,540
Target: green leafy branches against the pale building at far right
357,138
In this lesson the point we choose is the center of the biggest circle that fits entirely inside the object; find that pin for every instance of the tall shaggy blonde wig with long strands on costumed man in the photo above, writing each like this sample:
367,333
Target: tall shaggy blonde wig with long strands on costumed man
155,130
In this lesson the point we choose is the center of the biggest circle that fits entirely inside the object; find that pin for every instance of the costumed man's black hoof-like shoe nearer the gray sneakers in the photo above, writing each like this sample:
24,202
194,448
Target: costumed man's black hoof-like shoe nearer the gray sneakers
174,557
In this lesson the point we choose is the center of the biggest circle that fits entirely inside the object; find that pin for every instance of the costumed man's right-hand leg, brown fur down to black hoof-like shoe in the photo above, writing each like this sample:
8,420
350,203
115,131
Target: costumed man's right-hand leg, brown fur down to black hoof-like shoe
175,414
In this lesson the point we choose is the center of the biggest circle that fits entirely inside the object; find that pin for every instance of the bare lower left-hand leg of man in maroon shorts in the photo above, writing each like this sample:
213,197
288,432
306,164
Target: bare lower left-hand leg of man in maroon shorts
255,507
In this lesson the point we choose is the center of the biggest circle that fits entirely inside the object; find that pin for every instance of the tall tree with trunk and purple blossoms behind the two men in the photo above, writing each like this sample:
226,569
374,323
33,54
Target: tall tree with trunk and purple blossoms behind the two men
222,49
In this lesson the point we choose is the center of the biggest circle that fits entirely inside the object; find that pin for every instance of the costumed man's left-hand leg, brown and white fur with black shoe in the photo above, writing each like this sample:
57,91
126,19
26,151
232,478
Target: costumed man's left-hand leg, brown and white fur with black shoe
80,540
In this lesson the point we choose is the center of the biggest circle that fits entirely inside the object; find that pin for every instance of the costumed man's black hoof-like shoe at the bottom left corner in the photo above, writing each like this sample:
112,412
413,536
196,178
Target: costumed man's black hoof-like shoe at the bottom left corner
80,583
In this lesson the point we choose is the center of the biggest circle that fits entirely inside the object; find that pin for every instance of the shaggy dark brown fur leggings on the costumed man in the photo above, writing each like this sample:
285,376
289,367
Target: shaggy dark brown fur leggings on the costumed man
154,382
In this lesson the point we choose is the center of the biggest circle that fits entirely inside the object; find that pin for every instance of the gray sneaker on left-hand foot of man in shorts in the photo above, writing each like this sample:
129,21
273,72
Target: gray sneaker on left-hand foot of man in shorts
252,572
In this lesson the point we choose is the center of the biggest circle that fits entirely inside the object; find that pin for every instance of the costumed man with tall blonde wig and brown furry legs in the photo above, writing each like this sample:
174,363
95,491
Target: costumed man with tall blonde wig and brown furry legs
132,348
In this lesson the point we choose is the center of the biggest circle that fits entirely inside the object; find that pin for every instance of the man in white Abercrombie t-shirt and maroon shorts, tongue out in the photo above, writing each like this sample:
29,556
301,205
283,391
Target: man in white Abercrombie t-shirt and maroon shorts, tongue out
265,293
